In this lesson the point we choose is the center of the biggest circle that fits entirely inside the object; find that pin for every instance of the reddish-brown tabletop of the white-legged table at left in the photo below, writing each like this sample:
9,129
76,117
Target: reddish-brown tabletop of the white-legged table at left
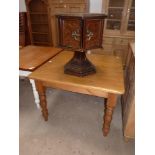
31,57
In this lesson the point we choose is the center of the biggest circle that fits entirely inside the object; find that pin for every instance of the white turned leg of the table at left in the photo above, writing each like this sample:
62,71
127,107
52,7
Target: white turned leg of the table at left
35,93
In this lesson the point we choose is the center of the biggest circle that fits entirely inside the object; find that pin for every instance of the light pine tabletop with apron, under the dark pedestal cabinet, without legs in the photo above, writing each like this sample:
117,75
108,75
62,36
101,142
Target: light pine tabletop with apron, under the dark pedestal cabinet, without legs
108,79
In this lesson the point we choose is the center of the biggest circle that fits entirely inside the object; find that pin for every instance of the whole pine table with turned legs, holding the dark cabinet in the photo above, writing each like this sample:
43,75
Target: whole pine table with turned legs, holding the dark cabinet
107,82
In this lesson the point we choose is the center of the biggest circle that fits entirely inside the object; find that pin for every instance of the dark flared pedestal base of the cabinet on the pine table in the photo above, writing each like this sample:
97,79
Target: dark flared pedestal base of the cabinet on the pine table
79,65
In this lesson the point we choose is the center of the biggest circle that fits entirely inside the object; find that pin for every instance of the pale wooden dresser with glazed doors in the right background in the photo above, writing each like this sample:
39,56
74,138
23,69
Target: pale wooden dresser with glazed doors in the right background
119,27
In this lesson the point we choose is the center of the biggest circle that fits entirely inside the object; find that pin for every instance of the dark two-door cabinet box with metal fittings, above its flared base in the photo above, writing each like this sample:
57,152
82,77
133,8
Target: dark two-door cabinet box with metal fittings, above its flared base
80,31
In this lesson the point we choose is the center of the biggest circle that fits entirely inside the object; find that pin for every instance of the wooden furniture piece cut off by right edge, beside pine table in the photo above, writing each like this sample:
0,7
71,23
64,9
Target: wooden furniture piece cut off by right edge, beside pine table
128,99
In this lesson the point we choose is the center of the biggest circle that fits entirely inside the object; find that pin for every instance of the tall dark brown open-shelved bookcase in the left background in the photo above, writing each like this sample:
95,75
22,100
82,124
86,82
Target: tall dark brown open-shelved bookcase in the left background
39,22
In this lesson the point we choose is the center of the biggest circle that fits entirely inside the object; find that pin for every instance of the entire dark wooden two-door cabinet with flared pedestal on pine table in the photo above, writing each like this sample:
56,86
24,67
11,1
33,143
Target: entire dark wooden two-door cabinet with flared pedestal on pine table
80,32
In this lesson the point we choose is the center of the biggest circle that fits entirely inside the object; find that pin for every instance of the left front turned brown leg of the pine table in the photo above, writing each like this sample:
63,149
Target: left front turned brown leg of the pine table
42,97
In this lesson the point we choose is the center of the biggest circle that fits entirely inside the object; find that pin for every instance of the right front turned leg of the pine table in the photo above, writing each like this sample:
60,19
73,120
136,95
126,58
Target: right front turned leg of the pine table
109,107
